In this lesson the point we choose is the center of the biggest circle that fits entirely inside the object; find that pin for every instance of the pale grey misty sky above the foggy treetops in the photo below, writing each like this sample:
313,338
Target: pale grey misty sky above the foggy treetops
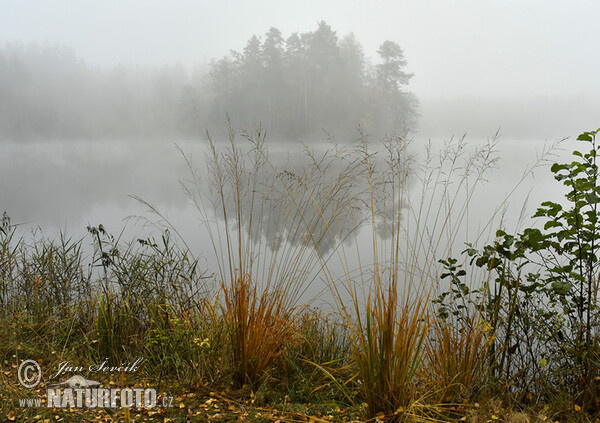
476,47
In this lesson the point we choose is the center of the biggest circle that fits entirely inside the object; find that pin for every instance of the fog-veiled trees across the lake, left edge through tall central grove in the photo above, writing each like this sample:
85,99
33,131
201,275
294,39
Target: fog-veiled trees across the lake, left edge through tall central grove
295,87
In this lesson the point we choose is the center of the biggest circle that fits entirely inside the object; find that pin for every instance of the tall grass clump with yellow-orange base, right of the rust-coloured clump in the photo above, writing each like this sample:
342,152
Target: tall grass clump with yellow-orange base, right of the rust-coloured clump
414,214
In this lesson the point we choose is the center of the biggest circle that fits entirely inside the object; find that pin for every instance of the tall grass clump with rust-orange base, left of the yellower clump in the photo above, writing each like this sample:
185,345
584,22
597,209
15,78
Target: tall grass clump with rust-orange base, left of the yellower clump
262,225
